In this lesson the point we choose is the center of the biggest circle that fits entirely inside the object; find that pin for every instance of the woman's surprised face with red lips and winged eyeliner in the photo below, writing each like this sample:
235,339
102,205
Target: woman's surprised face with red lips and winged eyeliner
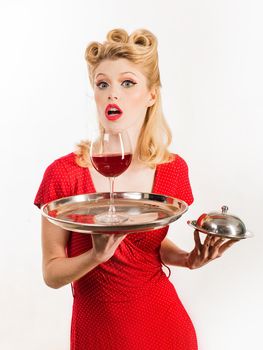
121,94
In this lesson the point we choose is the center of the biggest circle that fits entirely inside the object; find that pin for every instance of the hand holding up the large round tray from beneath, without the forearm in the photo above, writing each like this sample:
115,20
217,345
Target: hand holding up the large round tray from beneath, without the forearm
104,245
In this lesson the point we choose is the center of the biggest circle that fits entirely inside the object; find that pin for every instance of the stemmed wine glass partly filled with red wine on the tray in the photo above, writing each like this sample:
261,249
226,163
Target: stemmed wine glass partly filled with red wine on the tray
111,155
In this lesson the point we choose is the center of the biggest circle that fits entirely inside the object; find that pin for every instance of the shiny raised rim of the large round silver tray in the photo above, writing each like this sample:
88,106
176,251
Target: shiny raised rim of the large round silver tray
102,228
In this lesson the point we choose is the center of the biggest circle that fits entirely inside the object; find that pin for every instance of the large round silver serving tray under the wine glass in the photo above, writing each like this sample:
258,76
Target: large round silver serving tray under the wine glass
146,211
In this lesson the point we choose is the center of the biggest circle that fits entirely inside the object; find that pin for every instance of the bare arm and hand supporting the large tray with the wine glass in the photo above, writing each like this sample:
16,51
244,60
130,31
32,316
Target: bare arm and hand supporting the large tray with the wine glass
58,269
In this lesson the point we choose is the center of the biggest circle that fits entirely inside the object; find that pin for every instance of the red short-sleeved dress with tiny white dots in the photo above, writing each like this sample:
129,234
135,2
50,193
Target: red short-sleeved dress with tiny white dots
127,302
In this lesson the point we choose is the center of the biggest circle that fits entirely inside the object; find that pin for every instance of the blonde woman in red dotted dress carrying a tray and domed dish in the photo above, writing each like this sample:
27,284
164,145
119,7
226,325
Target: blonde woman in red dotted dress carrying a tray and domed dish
122,297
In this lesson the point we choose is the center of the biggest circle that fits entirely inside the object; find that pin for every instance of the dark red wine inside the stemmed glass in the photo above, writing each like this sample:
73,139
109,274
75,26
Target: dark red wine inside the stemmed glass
111,165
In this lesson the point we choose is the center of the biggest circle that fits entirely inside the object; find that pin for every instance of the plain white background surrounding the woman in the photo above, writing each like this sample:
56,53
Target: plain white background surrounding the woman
211,70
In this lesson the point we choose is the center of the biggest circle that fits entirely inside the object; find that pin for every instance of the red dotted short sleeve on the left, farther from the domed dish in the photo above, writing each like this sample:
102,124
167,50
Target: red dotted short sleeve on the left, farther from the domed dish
55,184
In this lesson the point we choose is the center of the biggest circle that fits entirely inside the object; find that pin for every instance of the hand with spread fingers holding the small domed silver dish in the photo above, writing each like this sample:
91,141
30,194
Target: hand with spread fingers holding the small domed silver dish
212,248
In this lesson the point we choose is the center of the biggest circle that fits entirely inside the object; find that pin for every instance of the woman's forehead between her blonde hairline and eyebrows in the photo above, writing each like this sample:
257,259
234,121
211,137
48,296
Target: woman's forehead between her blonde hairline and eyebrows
112,68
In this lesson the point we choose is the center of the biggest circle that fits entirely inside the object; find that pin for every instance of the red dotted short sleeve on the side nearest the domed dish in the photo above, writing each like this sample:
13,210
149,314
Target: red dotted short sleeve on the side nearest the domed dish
183,188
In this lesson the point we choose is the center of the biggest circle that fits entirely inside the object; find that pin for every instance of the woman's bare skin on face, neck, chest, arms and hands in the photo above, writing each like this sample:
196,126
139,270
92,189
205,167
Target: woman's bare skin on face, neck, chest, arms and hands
122,83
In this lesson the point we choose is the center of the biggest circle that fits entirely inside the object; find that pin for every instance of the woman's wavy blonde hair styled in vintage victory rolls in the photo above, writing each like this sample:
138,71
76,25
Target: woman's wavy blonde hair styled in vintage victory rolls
140,48
